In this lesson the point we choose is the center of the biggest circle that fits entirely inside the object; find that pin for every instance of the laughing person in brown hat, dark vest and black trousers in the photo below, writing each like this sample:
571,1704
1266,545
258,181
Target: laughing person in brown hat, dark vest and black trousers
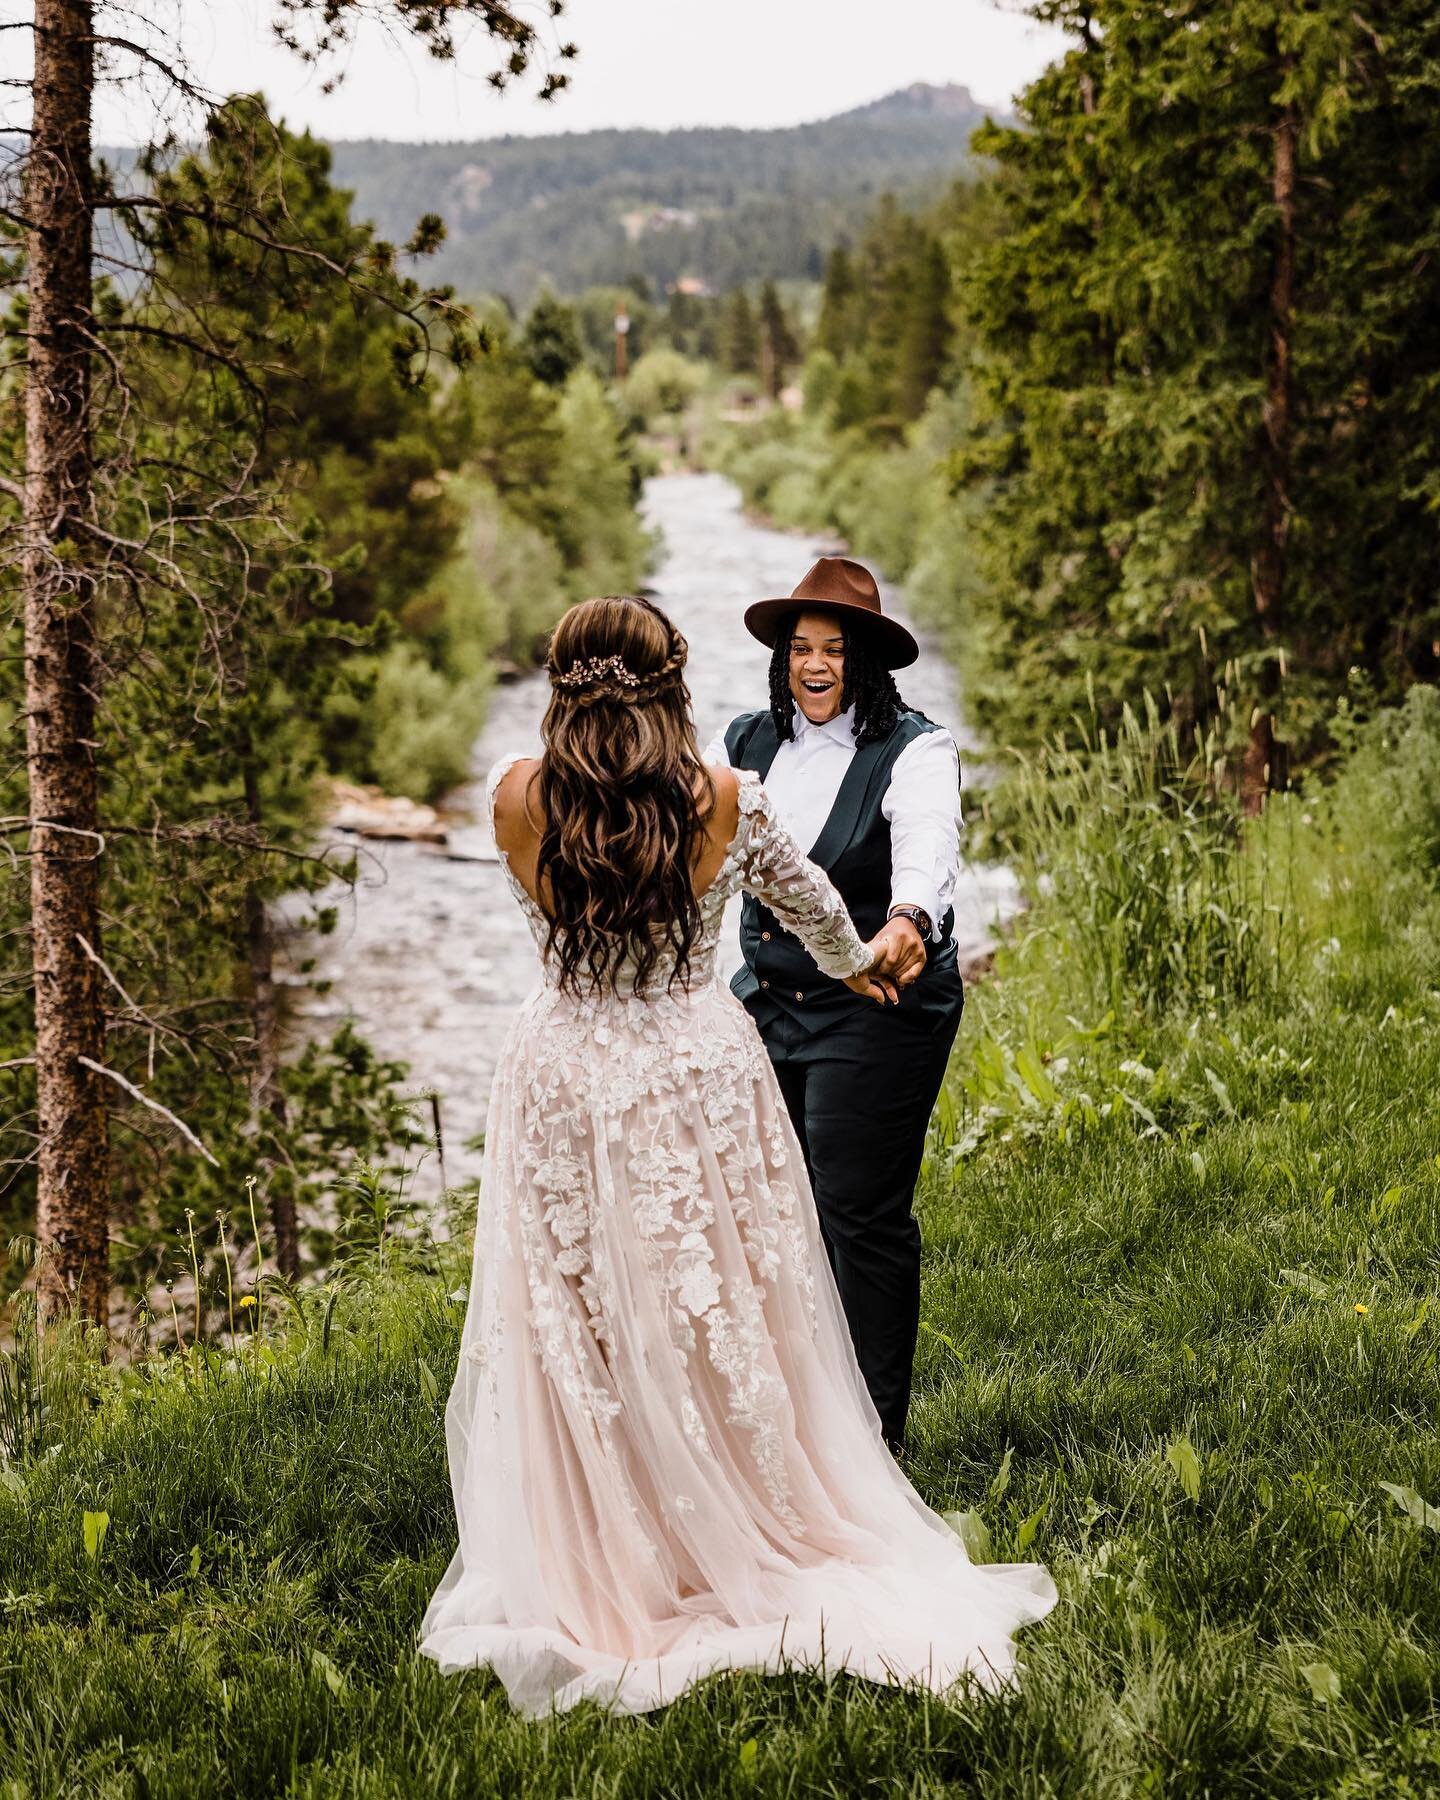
872,791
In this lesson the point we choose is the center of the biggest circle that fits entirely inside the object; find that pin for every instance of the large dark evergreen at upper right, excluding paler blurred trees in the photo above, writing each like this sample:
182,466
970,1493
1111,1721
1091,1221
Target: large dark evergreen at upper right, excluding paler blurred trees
1192,462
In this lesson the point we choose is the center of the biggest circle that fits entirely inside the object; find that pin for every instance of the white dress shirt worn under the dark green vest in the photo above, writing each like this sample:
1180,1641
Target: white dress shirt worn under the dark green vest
921,805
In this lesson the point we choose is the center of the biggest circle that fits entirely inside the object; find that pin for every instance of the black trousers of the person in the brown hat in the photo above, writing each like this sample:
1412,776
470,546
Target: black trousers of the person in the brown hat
859,1095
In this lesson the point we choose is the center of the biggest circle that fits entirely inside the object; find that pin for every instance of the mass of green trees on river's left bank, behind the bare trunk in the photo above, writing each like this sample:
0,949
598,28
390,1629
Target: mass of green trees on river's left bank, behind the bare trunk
345,548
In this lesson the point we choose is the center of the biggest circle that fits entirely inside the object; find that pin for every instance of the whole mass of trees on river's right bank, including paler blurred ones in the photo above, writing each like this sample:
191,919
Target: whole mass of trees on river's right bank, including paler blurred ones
1153,408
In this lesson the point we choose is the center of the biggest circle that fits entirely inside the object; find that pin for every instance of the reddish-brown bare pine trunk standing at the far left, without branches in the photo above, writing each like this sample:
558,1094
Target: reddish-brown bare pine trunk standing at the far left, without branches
73,1221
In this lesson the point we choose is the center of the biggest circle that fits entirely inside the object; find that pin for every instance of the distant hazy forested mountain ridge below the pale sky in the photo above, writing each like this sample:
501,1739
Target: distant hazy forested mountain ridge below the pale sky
723,206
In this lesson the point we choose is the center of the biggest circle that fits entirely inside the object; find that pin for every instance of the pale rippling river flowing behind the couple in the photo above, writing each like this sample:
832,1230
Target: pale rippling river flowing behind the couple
431,955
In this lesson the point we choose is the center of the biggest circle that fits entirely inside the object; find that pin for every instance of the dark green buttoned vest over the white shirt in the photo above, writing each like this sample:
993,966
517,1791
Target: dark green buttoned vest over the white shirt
854,850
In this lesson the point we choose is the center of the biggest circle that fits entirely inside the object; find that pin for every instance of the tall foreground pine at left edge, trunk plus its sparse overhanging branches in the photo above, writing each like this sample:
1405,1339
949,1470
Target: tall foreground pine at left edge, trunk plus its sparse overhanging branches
76,555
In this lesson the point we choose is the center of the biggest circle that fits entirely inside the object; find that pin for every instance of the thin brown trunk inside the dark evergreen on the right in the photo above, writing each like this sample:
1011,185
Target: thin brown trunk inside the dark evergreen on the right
1268,577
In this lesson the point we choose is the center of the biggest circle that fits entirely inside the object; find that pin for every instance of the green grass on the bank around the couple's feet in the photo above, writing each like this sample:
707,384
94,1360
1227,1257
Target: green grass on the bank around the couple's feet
1151,1228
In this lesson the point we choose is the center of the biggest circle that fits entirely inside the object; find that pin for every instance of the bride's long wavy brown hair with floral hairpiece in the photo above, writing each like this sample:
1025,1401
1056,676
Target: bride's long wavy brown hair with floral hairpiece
624,795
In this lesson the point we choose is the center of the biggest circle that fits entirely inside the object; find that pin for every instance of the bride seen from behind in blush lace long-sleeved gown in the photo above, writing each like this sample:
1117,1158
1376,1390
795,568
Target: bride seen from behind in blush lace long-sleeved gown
663,1453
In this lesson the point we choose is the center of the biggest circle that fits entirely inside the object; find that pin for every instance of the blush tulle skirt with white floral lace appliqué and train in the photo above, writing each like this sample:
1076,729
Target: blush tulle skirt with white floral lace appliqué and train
663,1453
